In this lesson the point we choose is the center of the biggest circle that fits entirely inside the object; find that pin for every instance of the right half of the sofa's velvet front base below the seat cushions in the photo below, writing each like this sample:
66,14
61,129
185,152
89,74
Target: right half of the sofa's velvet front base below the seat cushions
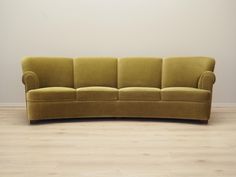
165,109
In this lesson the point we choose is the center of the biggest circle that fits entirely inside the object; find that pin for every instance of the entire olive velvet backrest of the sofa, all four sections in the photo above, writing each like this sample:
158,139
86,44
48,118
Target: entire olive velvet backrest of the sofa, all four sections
118,73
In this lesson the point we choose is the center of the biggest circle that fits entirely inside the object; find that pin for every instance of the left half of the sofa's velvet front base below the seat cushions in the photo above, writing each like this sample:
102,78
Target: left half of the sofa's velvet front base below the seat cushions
71,109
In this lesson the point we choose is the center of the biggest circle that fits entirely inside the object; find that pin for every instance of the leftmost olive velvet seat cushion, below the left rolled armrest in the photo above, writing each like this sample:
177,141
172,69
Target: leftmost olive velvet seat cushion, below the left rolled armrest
52,94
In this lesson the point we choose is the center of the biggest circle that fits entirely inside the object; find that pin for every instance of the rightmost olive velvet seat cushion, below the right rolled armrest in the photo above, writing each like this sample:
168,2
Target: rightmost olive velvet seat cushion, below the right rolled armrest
184,94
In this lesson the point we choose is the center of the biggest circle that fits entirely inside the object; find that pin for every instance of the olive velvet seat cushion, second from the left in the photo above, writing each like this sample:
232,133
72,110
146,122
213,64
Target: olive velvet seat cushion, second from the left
97,94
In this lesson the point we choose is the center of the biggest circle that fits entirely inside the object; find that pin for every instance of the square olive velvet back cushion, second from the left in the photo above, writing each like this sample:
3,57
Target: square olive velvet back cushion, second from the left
95,72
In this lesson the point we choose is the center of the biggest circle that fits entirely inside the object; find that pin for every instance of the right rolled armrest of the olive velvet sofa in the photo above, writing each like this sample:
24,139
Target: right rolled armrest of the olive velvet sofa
206,80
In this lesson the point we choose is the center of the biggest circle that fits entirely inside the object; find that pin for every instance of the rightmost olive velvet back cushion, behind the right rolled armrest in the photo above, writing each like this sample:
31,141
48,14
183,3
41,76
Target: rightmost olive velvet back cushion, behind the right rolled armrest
185,71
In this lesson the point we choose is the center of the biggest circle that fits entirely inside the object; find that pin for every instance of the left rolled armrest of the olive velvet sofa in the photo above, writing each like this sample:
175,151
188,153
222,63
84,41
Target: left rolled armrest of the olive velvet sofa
31,81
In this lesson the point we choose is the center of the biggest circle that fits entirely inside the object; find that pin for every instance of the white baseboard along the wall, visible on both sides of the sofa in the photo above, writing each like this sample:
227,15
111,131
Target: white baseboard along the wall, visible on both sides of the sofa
214,105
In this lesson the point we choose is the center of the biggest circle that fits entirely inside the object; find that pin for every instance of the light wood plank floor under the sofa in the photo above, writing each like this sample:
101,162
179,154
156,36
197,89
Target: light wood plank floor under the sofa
117,148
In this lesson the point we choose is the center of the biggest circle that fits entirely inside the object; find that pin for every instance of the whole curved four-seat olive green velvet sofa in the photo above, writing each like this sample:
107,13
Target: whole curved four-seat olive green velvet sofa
146,87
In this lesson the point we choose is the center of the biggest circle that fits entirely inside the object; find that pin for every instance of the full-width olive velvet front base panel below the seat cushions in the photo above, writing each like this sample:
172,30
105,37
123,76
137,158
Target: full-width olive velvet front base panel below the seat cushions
145,109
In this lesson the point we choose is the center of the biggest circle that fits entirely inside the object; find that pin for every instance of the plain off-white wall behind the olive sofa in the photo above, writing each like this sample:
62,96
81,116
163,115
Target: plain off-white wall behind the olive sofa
117,28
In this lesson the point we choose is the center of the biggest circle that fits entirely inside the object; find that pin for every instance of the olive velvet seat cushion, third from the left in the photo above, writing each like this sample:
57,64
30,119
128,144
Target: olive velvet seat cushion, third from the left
140,93
